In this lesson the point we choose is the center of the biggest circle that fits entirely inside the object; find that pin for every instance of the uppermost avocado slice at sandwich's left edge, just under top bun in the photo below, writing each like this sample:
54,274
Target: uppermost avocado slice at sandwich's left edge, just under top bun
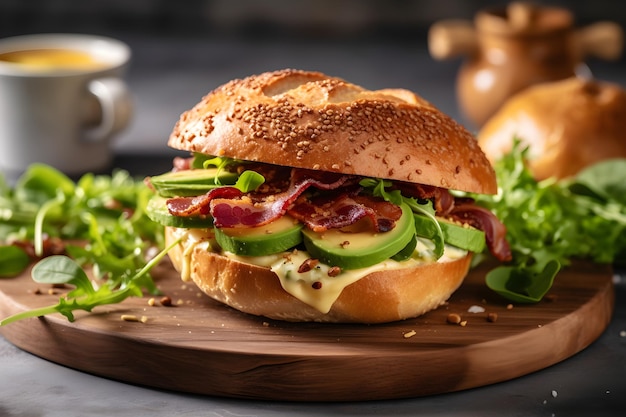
191,182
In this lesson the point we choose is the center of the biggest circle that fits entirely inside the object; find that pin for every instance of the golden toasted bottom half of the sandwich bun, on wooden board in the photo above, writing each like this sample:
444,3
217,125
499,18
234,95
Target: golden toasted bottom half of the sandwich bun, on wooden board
379,297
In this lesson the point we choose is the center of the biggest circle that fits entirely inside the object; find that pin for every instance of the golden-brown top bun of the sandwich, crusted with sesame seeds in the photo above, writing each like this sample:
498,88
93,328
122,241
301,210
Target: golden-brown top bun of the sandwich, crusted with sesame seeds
310,120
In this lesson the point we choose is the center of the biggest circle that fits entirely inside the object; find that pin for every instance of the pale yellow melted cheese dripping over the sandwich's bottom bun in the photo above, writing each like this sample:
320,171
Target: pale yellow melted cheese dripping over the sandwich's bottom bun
315,288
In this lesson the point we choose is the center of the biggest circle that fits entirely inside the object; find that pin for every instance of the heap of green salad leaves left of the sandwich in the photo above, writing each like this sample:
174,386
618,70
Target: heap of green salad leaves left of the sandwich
104,226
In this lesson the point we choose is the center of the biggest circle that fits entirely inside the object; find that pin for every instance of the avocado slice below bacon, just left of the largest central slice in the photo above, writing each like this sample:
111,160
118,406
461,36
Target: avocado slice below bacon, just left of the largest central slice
274,237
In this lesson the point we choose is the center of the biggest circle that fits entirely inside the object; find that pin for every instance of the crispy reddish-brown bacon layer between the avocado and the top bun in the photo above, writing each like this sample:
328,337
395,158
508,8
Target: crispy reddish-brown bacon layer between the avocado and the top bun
229,207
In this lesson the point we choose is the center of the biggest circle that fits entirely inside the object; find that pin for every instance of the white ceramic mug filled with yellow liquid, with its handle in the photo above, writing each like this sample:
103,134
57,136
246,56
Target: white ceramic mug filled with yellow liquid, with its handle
62,99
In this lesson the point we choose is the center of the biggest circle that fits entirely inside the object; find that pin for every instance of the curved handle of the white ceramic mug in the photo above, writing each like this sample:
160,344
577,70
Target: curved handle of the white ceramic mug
115,107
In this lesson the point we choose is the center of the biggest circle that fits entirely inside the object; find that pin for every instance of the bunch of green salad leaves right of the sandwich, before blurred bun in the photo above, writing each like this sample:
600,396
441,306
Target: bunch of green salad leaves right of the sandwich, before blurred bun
550,223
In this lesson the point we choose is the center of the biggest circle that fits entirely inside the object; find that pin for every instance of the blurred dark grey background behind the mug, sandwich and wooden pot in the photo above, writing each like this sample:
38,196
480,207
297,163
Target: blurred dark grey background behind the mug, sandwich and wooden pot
183,49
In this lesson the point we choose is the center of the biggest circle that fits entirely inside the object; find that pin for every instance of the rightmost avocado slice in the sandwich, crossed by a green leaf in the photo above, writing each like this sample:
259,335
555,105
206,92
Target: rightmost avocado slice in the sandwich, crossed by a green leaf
461,236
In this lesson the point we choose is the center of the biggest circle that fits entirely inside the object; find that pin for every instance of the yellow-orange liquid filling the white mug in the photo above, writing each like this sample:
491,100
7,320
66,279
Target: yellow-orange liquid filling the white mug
52,59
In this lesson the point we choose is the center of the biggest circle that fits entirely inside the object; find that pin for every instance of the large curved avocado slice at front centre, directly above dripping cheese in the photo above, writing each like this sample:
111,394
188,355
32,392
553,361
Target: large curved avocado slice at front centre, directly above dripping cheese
358,247
